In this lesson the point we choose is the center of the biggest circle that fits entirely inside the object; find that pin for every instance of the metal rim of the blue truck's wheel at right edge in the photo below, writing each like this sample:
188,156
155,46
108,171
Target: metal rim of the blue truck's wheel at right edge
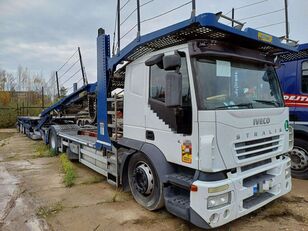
299,158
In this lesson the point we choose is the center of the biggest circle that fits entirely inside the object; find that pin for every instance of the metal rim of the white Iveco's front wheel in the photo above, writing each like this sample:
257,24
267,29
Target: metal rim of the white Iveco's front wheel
143,180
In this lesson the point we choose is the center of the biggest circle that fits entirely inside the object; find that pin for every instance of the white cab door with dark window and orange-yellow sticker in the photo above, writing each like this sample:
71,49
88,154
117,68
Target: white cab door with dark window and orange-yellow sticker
174,130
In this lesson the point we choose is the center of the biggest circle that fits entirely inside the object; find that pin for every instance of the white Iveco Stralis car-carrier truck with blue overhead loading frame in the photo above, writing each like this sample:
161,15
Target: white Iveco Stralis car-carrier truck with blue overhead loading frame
200,127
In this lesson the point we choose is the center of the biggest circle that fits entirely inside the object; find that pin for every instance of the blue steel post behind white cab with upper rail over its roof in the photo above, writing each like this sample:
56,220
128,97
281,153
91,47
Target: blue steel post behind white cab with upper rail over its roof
106,64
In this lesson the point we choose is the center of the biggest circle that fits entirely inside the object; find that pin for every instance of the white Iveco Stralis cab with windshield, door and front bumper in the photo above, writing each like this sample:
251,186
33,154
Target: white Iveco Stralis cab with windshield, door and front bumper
229,121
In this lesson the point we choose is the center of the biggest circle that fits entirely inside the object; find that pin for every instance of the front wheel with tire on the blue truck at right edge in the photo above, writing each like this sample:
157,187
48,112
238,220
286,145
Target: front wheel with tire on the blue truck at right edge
299,159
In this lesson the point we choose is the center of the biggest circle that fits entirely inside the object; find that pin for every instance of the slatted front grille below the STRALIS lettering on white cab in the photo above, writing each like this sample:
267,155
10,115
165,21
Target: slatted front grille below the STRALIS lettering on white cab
252,148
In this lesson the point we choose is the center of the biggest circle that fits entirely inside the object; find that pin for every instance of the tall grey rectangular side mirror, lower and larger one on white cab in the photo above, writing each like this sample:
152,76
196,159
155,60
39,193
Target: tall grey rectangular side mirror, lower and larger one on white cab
173,97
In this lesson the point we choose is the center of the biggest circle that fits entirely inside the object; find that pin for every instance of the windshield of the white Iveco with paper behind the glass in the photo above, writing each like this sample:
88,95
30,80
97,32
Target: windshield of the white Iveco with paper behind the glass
227,85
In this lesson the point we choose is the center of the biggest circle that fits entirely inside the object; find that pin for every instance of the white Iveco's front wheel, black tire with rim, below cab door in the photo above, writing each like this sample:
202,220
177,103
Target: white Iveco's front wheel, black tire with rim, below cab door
144,182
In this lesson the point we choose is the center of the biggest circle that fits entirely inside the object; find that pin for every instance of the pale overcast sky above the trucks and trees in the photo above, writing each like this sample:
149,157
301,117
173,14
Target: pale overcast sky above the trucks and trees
41,34
